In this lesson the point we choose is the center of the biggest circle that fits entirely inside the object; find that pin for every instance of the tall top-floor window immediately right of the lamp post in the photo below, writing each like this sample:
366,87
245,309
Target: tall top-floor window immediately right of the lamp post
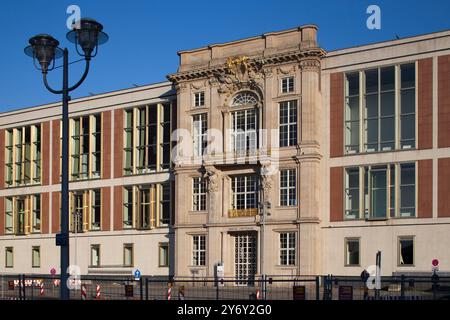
85,151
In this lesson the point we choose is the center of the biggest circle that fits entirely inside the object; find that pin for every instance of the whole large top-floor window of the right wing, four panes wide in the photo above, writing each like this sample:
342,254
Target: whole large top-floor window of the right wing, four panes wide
384,100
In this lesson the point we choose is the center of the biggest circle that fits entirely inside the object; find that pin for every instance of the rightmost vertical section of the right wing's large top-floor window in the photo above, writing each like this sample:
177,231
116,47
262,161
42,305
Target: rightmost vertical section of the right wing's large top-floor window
408,106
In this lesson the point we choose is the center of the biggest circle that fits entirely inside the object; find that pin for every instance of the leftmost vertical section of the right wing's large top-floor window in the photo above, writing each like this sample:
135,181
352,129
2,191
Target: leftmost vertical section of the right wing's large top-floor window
352,121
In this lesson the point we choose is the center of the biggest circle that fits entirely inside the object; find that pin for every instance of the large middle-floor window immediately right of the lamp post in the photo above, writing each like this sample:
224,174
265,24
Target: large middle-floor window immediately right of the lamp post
85,208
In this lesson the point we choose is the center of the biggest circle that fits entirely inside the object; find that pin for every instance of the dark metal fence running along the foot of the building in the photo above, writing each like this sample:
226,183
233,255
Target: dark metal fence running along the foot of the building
330,287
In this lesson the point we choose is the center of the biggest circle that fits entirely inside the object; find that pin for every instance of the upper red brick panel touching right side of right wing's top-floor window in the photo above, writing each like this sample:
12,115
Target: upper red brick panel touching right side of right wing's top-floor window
425,104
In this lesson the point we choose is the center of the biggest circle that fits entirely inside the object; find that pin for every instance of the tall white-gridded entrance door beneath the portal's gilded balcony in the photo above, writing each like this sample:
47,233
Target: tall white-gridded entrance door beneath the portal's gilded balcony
245,258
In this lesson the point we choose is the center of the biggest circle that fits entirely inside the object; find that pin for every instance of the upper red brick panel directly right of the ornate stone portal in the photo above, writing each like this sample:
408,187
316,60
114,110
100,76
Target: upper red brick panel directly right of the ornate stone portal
336,114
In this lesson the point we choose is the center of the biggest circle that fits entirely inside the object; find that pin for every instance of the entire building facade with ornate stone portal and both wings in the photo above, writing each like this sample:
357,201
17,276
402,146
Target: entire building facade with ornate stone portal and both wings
267,155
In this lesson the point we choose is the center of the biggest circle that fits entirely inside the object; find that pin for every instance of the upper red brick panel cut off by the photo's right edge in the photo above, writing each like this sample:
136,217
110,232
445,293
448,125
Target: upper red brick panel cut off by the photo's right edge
444,101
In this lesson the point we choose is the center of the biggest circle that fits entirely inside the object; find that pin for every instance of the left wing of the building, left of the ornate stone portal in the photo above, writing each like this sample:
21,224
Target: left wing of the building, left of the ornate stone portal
120,184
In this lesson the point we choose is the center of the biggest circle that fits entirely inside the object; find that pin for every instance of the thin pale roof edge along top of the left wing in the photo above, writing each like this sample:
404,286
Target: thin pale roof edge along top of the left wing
92,97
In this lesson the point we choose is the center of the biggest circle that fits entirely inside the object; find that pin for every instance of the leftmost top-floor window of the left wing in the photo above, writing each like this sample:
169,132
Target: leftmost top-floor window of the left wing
23,156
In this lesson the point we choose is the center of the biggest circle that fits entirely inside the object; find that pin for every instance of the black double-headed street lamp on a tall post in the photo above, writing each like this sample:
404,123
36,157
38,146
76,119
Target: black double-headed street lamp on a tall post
44,49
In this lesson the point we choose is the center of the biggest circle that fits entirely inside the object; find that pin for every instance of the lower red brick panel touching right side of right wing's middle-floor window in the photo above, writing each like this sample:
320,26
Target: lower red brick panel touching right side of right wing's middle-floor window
425,189
